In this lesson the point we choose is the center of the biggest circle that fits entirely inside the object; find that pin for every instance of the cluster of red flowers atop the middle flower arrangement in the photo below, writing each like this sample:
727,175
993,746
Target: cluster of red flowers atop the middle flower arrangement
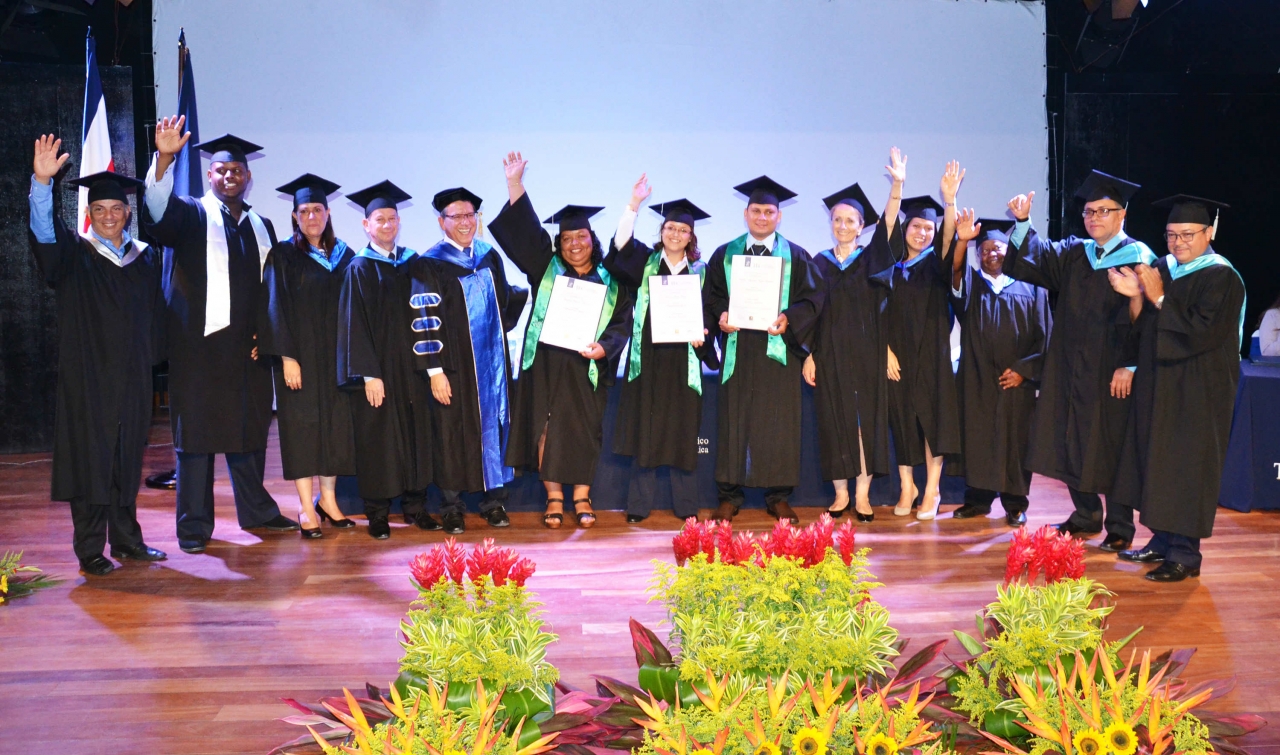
808,546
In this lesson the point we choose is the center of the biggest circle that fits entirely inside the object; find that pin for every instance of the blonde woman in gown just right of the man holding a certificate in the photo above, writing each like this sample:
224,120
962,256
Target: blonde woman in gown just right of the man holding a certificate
848,365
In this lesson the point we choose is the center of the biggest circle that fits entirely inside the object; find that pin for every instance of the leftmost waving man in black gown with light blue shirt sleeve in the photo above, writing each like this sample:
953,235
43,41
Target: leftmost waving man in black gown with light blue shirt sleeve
111,317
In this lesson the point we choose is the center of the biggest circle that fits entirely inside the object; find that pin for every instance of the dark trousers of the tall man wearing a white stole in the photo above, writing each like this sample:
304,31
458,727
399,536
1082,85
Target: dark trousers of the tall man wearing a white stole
254,505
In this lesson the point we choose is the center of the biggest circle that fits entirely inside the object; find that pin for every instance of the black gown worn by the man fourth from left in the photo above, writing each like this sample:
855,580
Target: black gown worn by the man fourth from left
376,340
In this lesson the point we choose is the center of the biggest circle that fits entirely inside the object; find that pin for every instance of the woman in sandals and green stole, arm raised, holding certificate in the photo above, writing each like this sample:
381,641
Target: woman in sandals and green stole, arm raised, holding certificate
560,397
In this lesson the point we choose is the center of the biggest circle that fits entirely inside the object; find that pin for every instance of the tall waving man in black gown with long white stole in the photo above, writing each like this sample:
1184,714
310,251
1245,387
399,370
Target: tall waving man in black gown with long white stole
220,391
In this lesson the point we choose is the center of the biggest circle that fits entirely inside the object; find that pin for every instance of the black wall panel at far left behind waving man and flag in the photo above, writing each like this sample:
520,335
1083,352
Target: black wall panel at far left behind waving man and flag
42,99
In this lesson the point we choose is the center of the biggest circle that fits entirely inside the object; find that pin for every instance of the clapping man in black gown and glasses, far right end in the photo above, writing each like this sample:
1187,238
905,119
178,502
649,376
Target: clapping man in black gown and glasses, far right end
1190,310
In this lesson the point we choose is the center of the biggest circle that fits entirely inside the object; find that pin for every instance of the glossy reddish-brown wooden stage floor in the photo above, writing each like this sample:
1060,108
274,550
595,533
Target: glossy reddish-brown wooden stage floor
191,656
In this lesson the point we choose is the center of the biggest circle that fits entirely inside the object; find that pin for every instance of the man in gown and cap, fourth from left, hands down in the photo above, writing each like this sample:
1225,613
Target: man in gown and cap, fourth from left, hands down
383,327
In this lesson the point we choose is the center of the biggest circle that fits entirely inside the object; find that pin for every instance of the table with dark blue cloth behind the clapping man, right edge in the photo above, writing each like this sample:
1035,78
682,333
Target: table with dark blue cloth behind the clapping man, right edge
1251,478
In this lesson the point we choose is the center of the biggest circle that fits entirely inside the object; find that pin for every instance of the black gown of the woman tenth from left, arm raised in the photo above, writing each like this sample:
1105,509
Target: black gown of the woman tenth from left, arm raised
924,406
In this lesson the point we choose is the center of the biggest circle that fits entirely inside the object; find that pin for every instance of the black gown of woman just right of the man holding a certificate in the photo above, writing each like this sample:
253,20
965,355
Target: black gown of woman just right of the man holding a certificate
851,360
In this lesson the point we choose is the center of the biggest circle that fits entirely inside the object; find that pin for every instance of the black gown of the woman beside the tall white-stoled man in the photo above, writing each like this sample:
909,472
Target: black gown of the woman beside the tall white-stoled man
301,323
